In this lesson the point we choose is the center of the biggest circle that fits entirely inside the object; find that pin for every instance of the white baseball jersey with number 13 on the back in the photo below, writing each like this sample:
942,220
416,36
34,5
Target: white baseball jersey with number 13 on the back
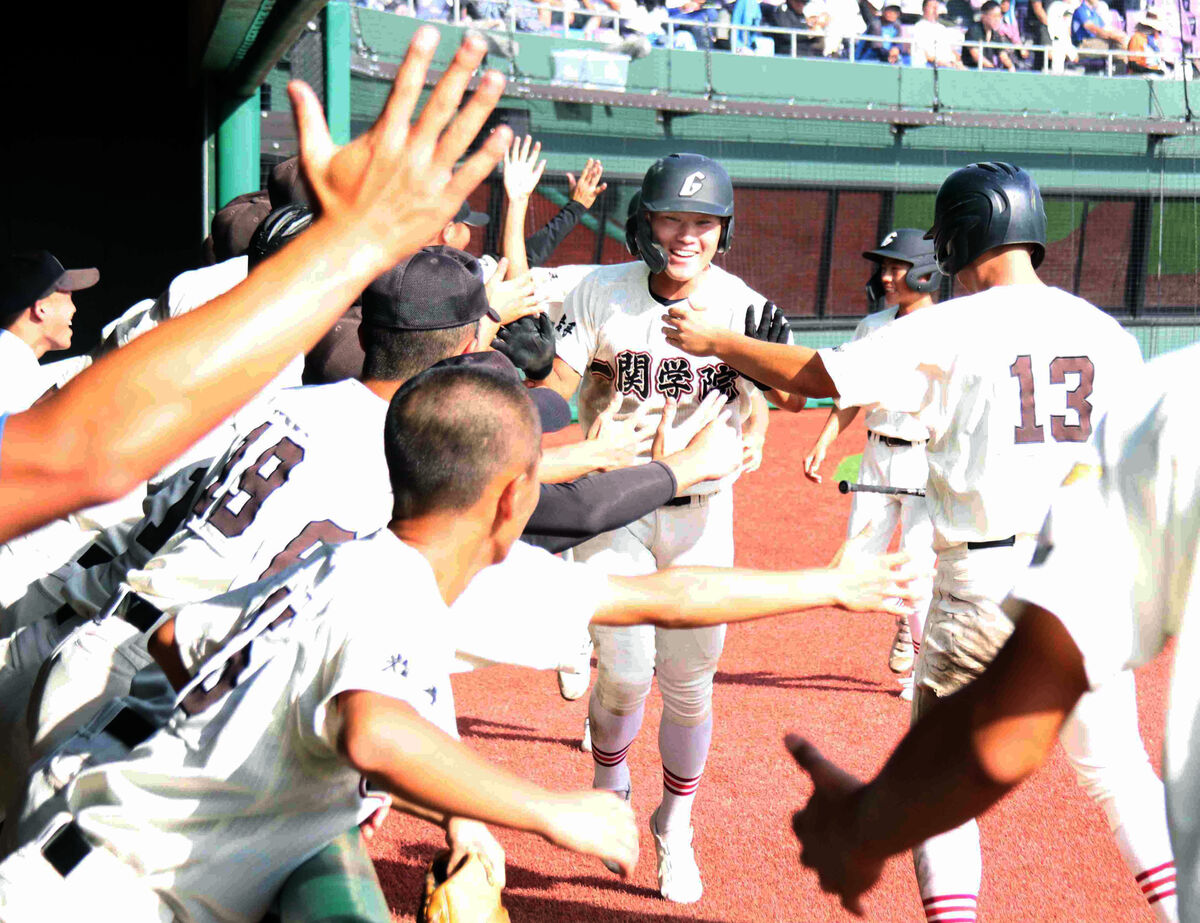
1009,385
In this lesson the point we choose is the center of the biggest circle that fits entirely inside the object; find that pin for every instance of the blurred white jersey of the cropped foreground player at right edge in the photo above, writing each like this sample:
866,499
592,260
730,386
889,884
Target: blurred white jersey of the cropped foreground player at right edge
1118,566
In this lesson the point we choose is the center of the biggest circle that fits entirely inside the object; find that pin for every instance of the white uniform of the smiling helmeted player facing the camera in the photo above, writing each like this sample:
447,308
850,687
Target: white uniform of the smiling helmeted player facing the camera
619,347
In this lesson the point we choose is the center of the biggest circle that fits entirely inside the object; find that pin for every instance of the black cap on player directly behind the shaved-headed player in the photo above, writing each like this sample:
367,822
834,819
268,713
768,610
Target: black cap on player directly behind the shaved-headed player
436,289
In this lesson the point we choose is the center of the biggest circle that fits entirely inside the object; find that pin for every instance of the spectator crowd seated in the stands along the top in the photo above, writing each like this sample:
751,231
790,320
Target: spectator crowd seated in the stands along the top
1065,37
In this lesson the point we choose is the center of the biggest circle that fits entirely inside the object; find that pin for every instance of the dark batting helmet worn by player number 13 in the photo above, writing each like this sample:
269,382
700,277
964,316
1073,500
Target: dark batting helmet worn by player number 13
982,207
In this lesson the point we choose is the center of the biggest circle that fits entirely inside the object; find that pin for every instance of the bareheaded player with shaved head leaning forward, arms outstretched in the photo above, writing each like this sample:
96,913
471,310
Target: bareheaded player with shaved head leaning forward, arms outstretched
308,664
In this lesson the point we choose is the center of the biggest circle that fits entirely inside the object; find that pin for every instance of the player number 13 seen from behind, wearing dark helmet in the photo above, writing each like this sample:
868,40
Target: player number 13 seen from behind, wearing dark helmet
1010,382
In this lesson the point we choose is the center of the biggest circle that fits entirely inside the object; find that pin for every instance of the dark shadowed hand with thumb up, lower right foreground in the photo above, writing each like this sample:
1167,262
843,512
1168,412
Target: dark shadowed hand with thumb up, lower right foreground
826,829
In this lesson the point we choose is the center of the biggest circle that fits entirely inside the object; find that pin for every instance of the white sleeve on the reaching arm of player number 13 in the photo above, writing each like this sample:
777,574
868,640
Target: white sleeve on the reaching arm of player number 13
893,369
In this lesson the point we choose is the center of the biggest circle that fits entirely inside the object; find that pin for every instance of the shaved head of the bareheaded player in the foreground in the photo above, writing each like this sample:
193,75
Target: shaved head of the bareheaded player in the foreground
449,433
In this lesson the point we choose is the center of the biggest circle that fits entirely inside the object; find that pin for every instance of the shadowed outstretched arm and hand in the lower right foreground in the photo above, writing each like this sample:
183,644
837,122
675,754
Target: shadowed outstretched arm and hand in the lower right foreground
967,754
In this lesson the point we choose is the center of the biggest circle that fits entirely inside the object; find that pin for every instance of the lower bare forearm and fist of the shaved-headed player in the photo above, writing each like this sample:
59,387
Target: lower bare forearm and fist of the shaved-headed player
404,754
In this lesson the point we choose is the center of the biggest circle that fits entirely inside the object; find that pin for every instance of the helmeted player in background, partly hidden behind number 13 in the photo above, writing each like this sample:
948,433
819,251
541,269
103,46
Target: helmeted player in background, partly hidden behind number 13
904,281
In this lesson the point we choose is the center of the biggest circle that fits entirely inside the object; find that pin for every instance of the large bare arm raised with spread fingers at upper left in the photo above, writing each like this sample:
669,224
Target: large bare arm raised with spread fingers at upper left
381,197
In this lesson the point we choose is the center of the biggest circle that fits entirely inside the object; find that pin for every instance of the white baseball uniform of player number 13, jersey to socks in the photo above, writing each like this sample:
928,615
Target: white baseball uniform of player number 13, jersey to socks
1010,385
